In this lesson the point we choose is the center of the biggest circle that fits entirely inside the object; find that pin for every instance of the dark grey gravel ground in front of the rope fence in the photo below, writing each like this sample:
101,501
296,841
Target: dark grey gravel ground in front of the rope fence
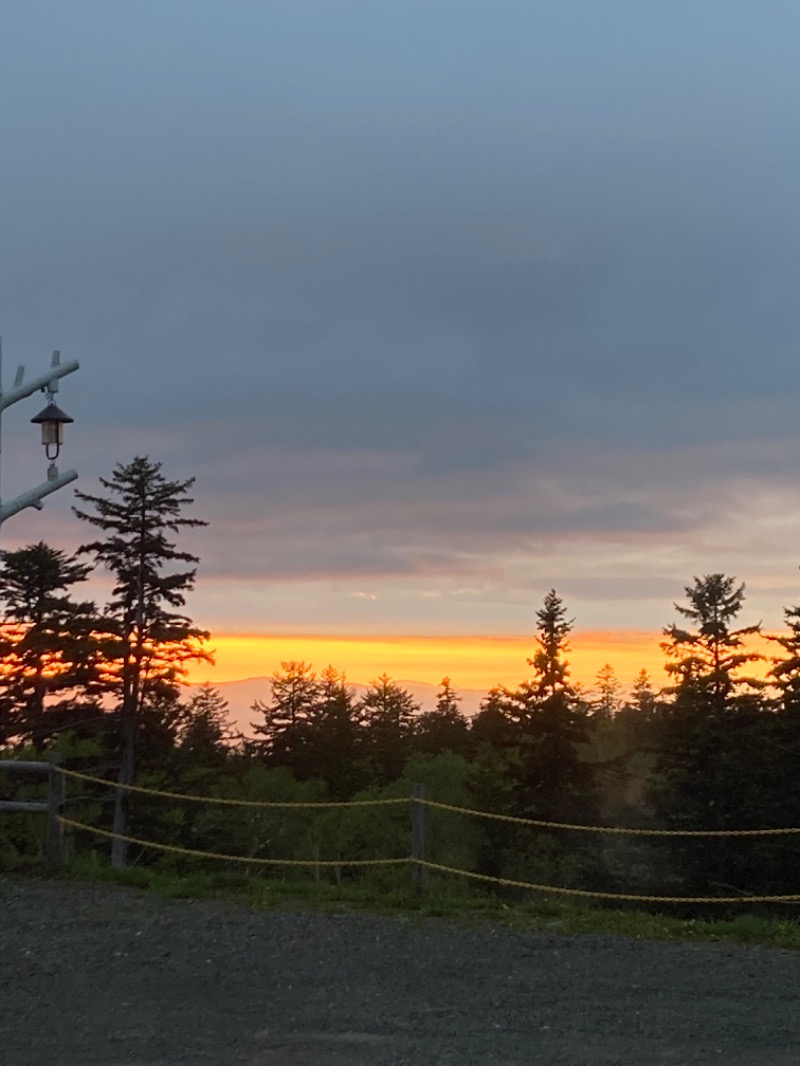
108,976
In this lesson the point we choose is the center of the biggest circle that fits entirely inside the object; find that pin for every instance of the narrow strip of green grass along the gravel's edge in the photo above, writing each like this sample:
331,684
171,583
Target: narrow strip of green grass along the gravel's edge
445,900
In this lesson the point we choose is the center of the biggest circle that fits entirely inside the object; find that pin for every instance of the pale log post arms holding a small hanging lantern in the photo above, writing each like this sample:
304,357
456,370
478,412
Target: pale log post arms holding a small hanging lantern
52,421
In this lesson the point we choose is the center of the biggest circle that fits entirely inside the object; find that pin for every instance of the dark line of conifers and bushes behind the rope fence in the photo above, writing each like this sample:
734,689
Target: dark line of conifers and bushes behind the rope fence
716,750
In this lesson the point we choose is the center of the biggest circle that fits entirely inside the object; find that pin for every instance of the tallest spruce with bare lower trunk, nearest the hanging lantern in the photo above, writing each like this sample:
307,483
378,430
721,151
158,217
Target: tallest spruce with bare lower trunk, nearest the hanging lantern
152,640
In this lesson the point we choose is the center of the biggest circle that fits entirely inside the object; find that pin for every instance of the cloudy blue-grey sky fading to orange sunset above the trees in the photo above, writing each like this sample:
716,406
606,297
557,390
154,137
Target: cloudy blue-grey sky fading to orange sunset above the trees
444,305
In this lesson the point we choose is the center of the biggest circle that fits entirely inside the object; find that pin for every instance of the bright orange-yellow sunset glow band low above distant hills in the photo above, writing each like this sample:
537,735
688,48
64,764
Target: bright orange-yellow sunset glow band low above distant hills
471,663
